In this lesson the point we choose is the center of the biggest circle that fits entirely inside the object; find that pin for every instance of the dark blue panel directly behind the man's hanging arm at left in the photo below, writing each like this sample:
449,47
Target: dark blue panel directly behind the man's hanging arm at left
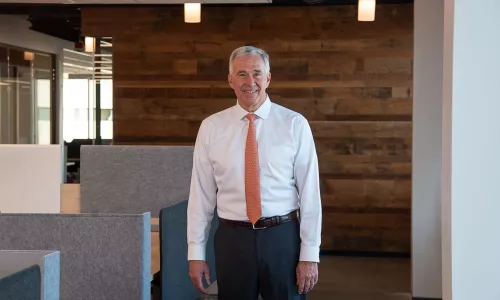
176,283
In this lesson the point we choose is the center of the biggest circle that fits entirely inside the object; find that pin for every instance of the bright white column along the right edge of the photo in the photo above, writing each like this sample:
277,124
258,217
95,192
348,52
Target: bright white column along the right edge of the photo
471,150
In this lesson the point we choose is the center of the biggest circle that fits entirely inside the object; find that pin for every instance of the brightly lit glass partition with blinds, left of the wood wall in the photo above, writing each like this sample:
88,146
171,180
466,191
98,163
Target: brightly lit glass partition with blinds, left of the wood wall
88,94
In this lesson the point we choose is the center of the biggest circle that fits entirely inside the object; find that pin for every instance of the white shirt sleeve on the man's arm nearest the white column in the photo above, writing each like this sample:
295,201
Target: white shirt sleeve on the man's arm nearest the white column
306,172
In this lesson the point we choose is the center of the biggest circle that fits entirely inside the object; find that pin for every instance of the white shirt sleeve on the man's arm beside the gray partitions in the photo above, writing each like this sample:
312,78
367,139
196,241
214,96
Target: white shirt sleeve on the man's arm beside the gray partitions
202,196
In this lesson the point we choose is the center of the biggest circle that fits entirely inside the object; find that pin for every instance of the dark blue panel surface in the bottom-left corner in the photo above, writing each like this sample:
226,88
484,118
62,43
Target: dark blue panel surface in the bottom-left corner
24,284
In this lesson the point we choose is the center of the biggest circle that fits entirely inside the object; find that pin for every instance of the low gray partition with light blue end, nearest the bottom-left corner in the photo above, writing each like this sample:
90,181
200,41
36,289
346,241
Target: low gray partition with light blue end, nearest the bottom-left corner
48,261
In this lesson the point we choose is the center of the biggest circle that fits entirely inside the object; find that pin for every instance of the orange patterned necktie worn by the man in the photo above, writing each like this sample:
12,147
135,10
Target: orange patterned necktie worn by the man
252,179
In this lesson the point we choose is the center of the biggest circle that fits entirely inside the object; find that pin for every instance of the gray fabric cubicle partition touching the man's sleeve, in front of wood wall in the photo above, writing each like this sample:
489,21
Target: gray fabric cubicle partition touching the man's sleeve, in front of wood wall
134,179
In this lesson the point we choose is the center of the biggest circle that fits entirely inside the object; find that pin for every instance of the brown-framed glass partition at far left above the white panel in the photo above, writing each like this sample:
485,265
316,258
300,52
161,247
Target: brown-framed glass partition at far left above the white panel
26,96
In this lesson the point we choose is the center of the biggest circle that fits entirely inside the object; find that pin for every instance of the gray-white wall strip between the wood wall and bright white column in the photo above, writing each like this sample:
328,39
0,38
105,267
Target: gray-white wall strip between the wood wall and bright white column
426,185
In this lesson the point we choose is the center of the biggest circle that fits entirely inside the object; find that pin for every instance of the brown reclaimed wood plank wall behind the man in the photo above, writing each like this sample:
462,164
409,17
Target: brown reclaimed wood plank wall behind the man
352,80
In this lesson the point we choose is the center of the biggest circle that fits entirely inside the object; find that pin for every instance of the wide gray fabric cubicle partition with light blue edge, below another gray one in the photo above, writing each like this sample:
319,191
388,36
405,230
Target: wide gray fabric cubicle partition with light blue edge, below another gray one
103,256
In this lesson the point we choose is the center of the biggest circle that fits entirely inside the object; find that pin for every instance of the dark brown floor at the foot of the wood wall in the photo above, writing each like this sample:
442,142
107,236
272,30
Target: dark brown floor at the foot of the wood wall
355,278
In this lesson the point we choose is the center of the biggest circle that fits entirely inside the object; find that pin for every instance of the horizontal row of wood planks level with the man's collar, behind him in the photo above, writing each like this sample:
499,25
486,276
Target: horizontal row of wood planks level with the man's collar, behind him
196,109
